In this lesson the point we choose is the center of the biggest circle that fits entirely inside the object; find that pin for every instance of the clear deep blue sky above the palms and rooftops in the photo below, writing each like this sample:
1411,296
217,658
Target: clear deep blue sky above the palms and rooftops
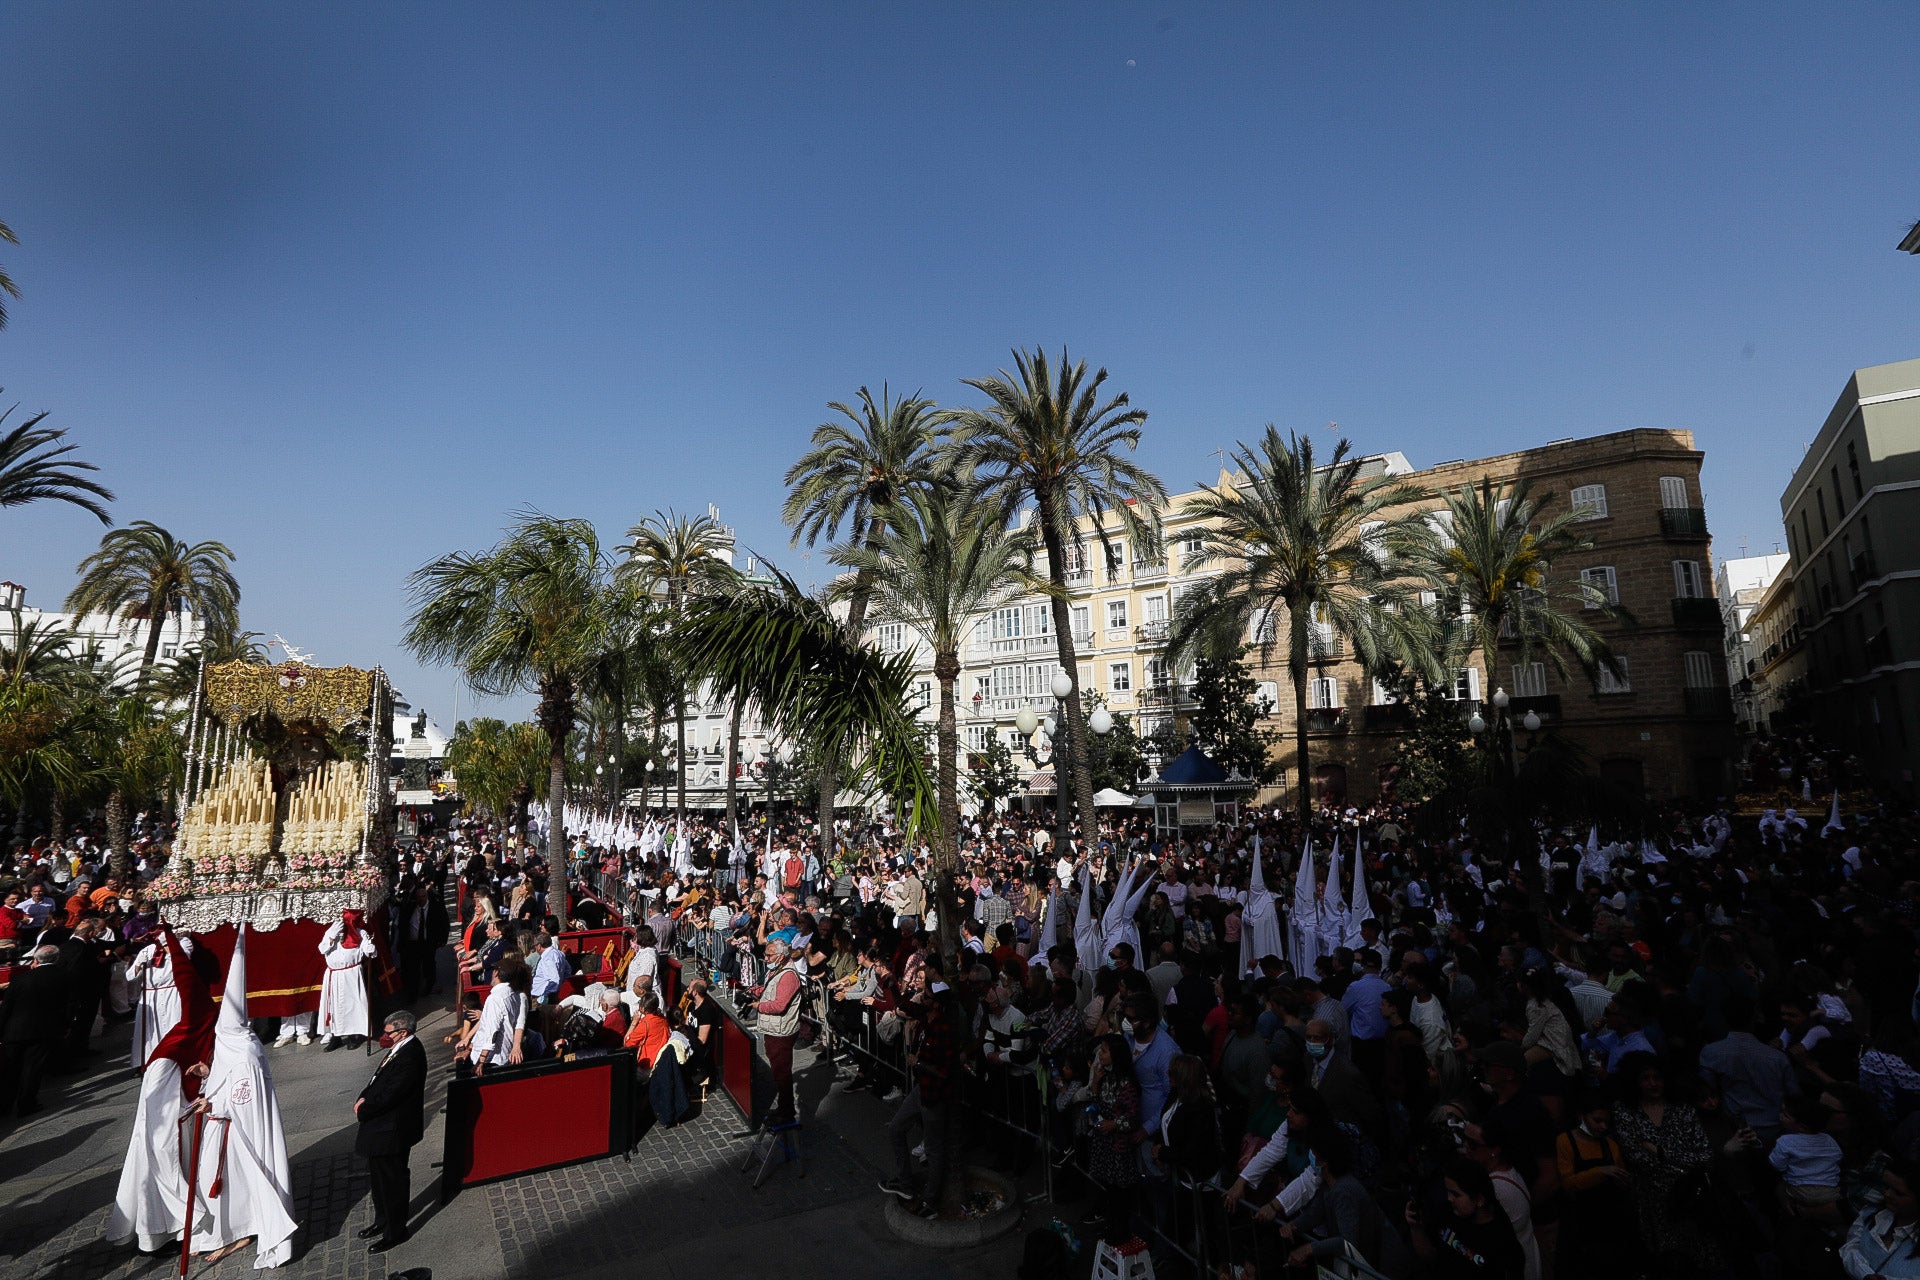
345,287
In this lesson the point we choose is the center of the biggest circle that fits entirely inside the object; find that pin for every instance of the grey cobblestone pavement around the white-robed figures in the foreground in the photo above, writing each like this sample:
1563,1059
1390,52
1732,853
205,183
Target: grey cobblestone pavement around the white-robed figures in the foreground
681,1210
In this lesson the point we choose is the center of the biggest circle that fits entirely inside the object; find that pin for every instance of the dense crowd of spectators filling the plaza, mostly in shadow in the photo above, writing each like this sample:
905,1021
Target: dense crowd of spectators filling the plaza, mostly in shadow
1685,1047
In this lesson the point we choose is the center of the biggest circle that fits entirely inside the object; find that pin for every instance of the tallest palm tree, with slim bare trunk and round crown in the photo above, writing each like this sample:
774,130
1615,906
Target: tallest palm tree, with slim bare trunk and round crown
1055,442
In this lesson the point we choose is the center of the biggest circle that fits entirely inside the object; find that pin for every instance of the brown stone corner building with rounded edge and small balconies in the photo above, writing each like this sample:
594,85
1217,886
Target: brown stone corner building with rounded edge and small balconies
1666,728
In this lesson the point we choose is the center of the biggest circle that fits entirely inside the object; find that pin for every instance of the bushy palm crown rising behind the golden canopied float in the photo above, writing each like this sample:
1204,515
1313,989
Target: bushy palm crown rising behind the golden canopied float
147,575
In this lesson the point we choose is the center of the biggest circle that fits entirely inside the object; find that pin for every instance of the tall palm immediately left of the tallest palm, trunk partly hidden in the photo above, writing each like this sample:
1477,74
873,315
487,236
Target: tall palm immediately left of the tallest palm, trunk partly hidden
852,479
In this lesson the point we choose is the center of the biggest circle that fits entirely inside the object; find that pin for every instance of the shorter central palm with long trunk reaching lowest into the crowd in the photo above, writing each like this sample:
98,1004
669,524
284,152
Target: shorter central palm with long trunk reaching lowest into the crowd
938,569
